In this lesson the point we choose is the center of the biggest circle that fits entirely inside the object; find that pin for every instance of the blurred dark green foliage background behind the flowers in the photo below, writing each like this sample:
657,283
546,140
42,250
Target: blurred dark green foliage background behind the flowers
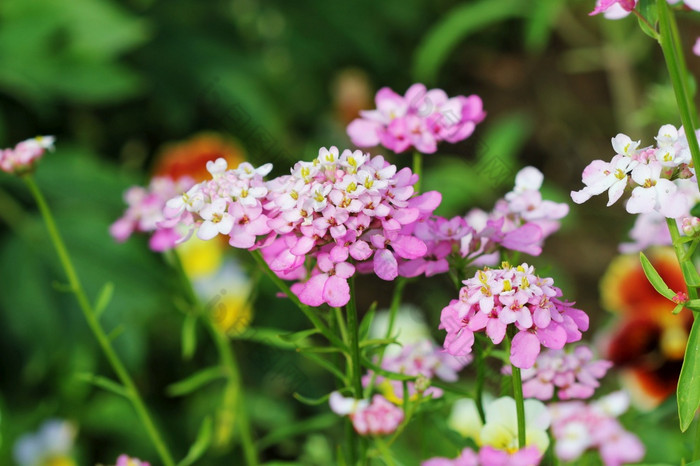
114,81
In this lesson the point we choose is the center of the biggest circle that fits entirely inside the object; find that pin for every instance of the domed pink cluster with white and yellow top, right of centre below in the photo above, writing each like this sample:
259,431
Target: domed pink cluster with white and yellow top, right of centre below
496,298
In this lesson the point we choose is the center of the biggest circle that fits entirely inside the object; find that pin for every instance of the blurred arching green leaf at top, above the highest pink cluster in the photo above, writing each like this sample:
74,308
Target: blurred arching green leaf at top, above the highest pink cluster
455,27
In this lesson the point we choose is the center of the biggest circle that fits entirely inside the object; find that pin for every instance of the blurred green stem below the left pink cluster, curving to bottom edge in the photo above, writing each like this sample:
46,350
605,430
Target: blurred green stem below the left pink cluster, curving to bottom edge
228,362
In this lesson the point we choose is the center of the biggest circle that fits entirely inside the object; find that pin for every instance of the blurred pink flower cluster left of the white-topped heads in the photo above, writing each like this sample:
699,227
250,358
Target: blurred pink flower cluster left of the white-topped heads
145,212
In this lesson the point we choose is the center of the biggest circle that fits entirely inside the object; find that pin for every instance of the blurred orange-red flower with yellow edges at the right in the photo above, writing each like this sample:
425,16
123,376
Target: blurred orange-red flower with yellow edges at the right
647,342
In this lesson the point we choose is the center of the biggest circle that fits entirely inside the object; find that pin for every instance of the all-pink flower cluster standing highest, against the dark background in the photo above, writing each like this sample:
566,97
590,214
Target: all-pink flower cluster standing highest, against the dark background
421,118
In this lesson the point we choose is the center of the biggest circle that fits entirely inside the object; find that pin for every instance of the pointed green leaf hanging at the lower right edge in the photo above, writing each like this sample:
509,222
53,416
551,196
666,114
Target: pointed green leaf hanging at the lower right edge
688,393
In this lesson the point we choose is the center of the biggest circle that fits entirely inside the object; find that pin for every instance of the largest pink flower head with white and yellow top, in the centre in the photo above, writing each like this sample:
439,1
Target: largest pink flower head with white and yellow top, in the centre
344,207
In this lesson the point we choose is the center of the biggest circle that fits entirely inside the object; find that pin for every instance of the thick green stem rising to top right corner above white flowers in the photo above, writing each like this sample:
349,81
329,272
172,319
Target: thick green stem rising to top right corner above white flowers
675,62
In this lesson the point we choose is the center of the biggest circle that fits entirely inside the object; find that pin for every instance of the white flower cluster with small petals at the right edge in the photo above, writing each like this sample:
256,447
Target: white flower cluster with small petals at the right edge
662,177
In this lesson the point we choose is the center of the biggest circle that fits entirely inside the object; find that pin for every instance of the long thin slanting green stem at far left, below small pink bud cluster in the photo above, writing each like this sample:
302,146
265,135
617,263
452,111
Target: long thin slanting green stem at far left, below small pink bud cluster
94,324
